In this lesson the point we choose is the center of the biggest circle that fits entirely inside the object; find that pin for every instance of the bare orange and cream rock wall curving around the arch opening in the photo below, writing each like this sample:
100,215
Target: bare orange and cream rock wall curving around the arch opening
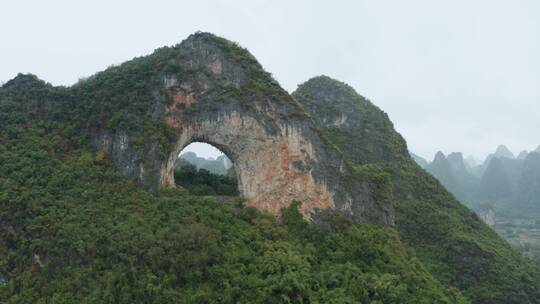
272,169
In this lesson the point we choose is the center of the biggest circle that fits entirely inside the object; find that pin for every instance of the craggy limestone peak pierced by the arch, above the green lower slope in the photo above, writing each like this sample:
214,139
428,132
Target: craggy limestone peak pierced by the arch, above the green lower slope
144,112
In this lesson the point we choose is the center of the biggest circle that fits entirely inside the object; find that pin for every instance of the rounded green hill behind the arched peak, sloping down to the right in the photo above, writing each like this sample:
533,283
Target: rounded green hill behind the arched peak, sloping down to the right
449,239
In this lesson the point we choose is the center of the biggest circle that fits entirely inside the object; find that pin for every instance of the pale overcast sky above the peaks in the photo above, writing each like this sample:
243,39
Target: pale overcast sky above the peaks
461,75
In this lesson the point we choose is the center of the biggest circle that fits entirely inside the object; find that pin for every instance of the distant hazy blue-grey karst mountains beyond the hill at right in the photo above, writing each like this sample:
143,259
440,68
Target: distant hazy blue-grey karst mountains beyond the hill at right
505,183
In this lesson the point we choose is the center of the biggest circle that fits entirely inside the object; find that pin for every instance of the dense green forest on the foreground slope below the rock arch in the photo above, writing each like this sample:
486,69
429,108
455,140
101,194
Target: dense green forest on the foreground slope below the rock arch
73,230
